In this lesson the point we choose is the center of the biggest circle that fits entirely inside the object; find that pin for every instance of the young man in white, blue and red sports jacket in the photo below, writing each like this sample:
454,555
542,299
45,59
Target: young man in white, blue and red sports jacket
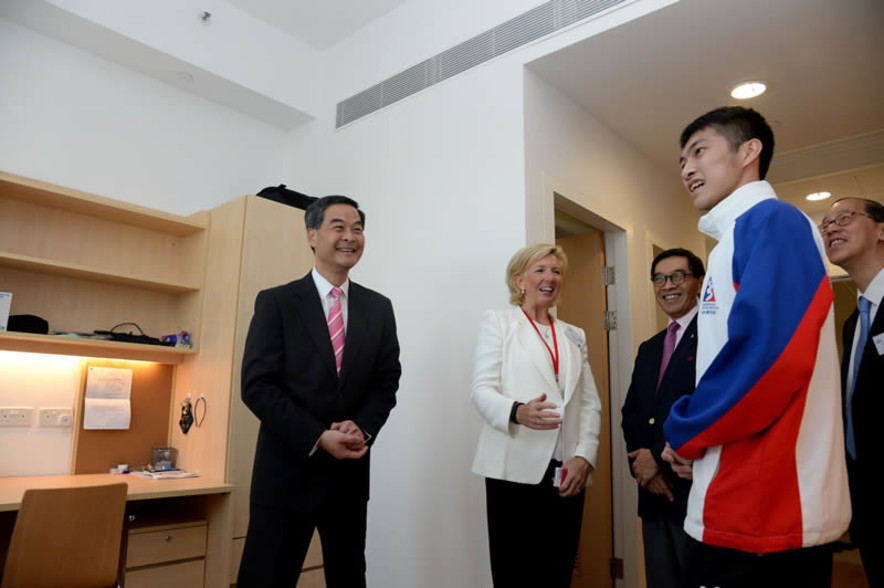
763,426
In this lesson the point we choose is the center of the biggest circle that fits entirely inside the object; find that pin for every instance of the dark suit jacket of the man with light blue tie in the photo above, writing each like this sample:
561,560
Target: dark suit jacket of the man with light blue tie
867,406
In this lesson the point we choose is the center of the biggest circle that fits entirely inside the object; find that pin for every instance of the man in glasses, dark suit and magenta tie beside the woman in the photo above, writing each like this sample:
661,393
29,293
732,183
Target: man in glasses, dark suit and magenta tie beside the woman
664,372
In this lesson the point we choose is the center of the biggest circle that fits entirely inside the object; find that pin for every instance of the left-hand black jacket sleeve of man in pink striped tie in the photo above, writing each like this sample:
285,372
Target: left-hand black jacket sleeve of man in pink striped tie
263,371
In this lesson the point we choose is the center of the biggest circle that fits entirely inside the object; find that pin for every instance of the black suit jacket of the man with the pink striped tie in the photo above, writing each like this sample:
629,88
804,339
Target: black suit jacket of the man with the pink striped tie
290,382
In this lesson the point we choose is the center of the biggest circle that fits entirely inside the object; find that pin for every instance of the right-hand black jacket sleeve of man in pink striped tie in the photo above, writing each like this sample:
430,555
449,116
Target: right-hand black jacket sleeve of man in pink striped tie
373,413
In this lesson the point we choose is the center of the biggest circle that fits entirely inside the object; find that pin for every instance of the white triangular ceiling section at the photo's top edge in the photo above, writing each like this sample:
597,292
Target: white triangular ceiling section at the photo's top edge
318,24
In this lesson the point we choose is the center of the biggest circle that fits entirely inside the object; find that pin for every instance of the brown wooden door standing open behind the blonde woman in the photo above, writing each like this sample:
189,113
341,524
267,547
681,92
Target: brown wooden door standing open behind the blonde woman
583,303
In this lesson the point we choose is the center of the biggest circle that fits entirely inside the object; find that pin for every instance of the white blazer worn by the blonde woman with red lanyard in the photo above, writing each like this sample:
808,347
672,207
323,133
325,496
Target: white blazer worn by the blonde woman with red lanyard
512,363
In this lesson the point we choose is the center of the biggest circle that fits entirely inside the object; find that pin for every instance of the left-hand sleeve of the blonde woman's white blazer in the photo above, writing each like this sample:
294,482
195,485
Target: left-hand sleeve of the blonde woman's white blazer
487,392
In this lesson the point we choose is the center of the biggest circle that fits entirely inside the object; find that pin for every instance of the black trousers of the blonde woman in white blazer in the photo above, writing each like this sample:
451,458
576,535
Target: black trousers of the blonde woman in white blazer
533,533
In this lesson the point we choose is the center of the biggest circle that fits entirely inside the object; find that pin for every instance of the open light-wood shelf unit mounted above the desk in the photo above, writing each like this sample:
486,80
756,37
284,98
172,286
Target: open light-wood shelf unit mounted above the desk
84,262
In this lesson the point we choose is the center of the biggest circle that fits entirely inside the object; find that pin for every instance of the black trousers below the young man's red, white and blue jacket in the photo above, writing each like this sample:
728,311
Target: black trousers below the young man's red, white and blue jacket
719,567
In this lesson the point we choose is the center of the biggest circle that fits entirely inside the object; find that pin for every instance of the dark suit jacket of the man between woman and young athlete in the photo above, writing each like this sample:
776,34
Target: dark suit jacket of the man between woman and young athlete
646,409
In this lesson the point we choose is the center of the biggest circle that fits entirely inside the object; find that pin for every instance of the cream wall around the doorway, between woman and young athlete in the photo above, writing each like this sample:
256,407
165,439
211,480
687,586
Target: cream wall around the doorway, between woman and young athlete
567,148
